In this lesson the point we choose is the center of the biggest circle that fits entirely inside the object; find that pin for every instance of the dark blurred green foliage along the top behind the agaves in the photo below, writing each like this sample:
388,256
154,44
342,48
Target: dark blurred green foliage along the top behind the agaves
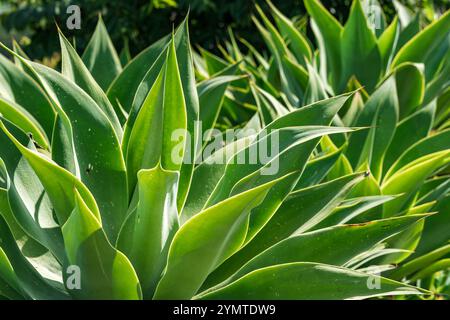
140,22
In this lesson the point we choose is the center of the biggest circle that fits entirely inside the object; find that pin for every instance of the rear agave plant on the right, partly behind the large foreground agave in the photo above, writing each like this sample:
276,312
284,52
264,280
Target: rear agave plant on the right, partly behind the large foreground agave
401,74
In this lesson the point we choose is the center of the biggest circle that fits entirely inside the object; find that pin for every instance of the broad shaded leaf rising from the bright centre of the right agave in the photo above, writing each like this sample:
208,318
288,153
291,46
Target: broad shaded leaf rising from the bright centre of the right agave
380,114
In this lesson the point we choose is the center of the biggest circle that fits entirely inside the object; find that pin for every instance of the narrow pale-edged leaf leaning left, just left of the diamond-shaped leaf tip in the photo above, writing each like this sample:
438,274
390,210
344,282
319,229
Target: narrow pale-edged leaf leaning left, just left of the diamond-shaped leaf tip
74,69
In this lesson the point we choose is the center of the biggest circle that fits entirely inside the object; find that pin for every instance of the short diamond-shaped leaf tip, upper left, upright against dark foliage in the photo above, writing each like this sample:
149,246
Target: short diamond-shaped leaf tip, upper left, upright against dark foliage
101,58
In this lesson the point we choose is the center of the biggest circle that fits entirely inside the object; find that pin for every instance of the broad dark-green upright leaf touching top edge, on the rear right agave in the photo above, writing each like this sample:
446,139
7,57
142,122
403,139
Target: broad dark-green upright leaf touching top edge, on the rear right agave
359,50
